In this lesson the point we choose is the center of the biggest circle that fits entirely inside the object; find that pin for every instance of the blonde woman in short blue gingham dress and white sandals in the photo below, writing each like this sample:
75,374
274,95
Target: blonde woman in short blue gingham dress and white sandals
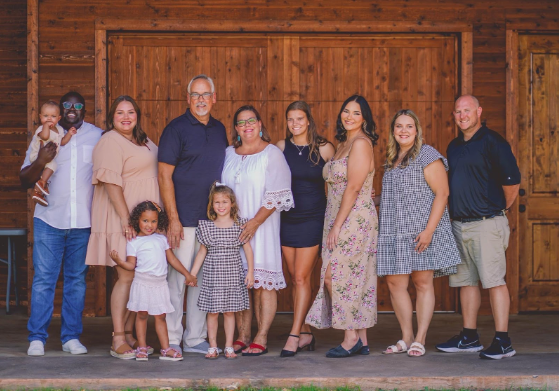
415,235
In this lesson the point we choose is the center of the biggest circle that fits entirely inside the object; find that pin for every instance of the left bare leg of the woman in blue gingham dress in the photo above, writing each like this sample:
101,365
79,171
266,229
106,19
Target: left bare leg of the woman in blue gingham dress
401,301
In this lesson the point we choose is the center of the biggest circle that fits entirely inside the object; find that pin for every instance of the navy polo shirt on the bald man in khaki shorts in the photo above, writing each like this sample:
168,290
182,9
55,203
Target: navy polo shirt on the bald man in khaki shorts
478,168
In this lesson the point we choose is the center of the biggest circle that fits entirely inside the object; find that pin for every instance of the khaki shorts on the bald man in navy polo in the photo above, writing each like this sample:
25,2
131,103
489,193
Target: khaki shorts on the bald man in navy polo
482,245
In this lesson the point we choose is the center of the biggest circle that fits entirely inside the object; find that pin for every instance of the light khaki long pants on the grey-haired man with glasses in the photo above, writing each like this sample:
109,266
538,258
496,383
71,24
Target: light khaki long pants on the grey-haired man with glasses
196,328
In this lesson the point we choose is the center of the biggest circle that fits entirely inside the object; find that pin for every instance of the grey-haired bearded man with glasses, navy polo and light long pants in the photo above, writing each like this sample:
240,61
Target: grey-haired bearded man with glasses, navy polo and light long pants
191,157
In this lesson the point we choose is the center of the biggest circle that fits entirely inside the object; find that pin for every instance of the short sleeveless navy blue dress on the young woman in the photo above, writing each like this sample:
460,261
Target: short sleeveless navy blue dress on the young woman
302,225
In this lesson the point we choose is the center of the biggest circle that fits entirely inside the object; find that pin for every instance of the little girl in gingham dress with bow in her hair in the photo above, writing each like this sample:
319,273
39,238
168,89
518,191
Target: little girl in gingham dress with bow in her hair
224,285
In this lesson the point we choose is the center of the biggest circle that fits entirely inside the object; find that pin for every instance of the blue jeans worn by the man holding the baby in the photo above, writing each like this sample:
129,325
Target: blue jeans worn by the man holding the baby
53,248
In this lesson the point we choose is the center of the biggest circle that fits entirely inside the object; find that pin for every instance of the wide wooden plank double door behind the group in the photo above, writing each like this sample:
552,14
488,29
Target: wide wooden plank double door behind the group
270,71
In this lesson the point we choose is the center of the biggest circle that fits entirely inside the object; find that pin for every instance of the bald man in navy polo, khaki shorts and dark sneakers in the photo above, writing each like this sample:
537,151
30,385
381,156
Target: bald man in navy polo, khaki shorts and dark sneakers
484,180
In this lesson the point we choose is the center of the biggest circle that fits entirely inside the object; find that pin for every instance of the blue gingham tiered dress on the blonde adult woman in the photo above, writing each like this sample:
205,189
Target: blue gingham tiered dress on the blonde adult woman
406,201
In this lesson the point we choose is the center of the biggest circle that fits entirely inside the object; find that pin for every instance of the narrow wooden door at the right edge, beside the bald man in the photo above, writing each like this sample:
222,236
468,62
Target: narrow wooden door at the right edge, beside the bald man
538,161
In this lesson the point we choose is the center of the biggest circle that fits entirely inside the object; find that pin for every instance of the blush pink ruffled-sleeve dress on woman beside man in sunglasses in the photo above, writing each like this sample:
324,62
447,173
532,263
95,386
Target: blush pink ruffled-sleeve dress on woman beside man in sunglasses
119,161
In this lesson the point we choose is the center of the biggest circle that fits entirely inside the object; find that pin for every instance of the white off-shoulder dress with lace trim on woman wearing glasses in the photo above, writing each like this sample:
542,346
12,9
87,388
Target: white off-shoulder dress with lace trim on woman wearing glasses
261,180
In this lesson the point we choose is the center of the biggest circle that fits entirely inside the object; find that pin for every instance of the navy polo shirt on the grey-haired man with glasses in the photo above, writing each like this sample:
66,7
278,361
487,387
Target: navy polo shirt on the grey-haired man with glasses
198,152
